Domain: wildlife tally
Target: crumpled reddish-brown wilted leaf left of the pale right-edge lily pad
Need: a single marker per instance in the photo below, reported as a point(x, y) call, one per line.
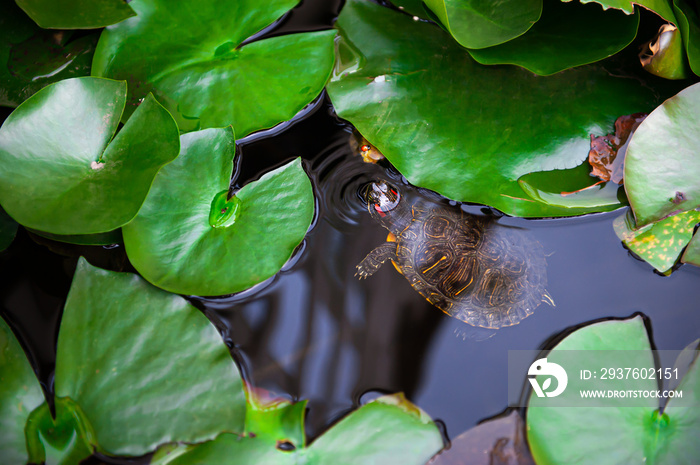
point(607, 153)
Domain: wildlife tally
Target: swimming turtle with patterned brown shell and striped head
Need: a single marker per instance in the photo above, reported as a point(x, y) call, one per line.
point(471, 268)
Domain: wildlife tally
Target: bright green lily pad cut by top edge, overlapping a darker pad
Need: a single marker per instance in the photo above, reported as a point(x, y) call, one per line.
point(484, 23)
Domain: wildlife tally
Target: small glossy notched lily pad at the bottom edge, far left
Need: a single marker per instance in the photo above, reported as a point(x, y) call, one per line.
point(64, 440)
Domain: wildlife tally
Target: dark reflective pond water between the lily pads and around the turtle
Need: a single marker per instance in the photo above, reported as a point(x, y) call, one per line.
point(316, 332)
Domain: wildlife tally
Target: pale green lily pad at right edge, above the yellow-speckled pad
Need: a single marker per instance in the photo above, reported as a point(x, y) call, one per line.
point(661, 165)
